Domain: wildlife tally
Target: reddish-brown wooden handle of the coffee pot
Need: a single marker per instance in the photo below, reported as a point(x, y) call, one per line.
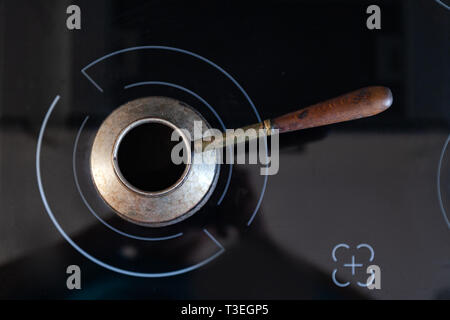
point(358, 104)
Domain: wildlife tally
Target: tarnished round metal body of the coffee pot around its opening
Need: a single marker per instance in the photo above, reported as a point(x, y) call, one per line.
point(153, 209)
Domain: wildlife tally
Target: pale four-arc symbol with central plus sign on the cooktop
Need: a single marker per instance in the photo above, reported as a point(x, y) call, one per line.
point(354, 265)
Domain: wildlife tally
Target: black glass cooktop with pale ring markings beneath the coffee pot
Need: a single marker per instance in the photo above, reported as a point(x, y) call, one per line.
point(368, 194)
